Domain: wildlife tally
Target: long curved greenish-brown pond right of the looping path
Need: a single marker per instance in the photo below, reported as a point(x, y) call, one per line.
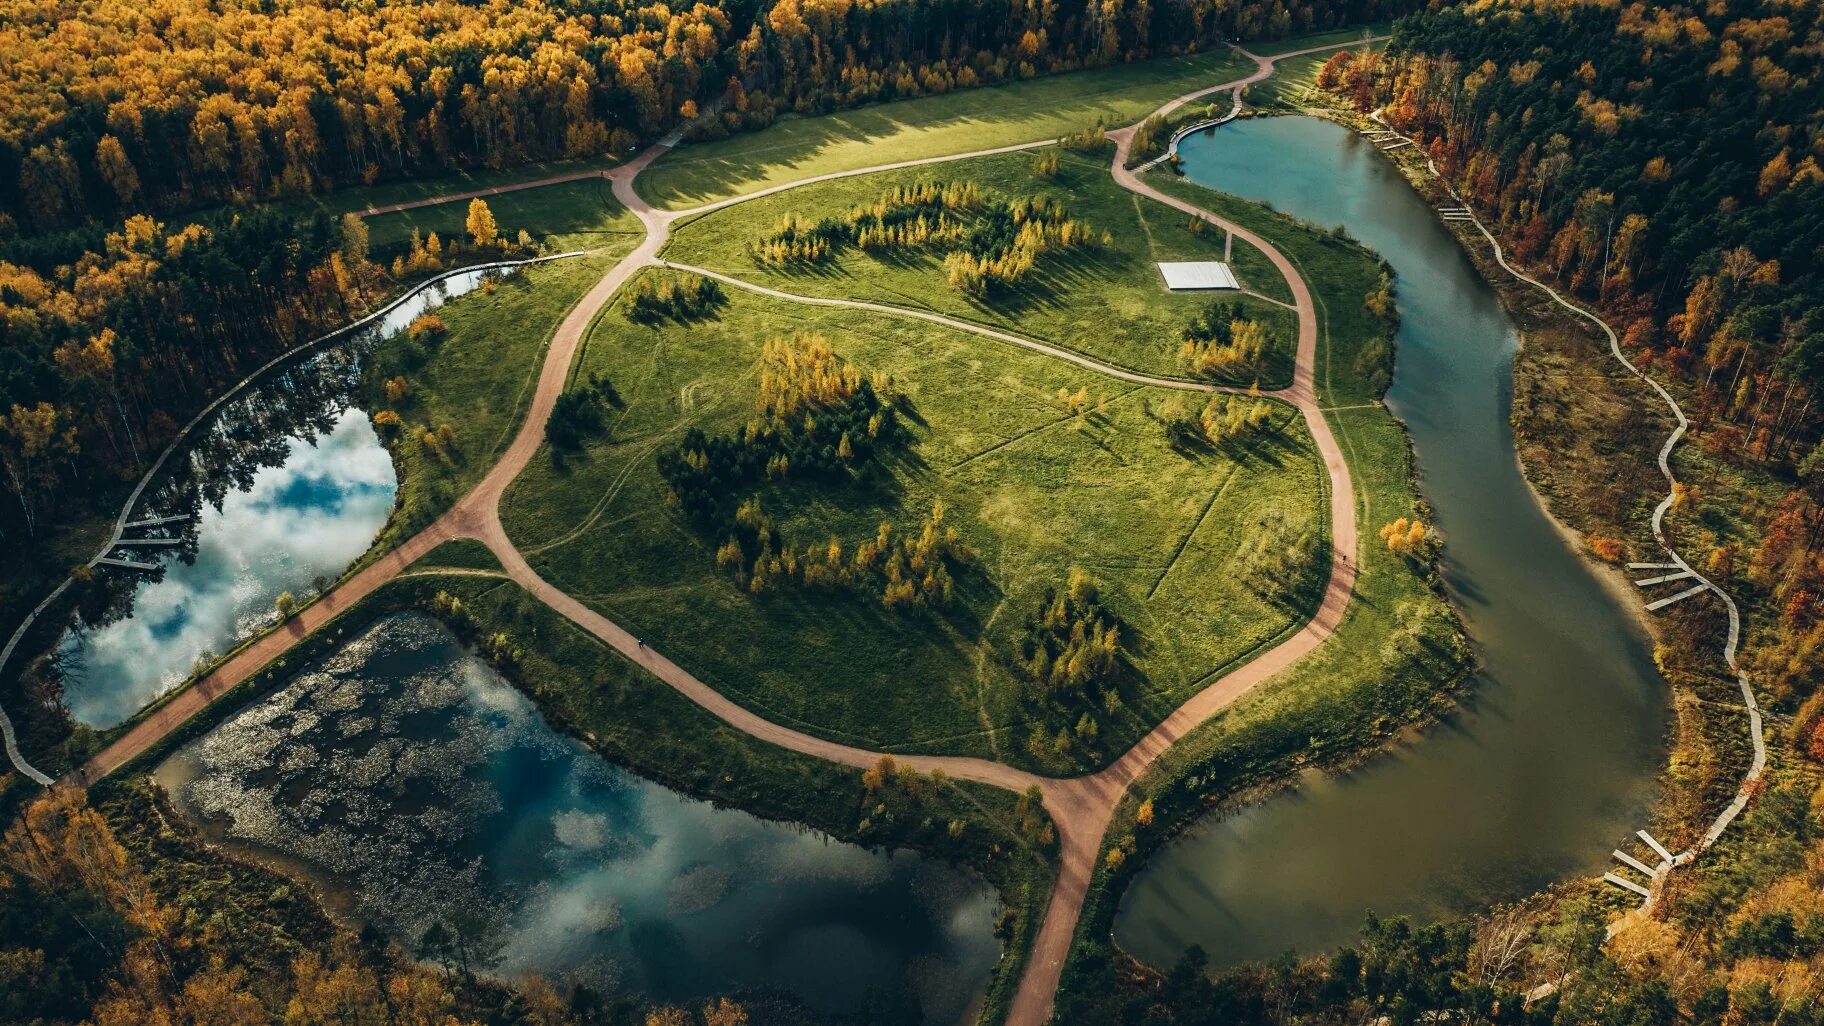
point(1553, 760)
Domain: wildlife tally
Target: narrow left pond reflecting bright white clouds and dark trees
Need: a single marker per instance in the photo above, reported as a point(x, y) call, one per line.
point(284, 488)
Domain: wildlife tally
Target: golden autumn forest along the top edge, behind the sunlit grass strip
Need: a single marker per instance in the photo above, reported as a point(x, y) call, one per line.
point(134, 107)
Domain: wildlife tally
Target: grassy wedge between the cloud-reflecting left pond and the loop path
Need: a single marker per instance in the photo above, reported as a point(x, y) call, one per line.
point(479, 381)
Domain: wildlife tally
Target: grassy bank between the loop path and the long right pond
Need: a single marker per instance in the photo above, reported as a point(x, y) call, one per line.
point(1396, 658)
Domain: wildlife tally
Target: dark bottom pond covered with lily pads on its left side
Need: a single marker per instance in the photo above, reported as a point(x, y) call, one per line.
point(419, 790)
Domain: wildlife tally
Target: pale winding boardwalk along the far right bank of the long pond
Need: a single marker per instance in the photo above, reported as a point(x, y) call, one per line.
point(1759, 762)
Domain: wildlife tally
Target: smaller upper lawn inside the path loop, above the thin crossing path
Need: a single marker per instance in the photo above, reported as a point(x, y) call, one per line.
point(1104, 302)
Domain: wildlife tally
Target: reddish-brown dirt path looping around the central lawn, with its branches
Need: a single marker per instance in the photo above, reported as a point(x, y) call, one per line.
point(1081, 808)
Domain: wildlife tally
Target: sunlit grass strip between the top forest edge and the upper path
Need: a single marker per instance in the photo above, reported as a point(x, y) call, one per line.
point(929, 127)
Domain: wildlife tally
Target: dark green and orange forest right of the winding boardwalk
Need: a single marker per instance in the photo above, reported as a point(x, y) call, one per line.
point(1663, 165)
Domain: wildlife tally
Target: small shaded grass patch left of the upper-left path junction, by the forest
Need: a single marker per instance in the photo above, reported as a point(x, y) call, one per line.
point(570, 216)
